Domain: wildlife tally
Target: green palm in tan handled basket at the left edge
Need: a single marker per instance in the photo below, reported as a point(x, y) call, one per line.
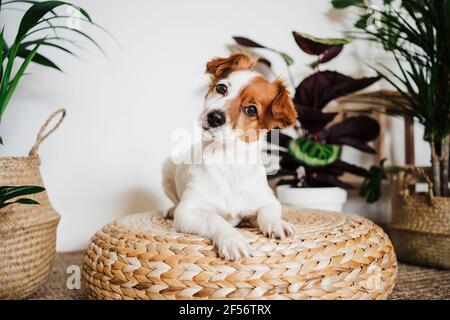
point(28, 230)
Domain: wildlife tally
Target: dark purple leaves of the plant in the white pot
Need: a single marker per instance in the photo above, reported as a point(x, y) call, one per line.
point(311, 96)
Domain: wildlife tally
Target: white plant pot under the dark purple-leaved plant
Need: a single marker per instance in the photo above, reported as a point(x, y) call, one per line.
point(332, 199)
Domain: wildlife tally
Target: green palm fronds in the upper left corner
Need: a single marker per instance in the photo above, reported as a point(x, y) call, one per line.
point(39, 27)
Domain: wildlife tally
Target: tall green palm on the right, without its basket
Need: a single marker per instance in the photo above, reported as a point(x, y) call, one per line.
point(417, 33)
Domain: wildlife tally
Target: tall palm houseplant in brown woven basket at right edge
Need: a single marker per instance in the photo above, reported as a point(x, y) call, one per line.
point(416, 33)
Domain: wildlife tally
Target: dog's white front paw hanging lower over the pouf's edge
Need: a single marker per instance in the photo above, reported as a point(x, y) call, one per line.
point(233, 246)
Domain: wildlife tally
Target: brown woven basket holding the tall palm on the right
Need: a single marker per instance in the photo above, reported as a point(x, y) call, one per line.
point(420, 230)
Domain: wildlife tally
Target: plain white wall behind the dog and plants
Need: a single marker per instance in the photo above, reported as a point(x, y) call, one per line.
point(104, 162)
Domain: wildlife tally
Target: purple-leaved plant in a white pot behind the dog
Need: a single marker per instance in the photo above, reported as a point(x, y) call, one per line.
point(310, 164)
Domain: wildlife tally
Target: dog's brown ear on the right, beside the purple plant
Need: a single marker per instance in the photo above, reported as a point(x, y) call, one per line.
point(282, 111)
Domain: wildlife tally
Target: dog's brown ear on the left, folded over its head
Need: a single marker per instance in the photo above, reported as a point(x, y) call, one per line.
point(222, 67)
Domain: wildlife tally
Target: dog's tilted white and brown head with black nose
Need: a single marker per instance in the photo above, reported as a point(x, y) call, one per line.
point(241, 102)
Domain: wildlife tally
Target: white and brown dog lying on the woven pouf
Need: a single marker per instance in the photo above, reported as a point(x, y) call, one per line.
point(212, 198)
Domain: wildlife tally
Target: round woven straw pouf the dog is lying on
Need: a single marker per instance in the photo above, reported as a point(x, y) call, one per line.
point(331, 256)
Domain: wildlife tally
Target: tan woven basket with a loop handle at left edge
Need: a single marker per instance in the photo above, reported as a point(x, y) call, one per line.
point(27, 232)
